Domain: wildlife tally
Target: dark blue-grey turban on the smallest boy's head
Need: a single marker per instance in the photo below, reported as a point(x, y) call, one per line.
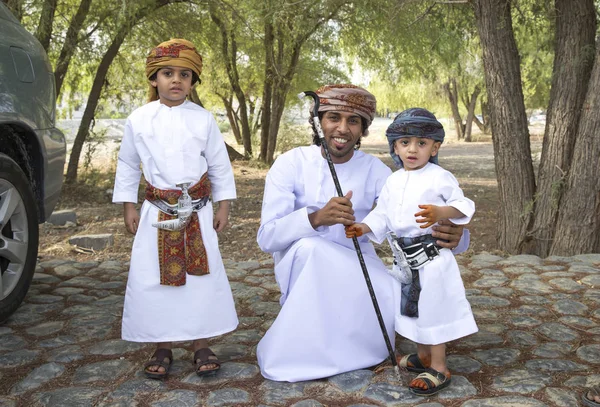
point(415, 122)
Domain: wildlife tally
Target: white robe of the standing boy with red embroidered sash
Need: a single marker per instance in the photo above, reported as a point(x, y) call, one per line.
point(174, 145)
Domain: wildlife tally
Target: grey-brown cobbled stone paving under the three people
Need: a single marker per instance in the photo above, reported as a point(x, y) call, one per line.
point(538, 345)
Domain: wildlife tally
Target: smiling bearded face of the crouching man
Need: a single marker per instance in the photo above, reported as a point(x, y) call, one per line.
point(342, 131)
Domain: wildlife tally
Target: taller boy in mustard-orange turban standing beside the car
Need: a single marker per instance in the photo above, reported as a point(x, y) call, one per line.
point(177, 288)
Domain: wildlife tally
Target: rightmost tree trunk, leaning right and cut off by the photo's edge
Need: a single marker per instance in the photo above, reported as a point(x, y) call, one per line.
point(578, 223)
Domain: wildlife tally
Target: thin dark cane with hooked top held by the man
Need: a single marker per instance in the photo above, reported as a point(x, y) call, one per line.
point(338, 188)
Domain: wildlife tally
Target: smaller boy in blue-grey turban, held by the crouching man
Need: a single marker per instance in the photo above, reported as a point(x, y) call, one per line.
point(434, 308)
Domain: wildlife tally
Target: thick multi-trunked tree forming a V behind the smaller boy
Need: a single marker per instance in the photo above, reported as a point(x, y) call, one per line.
point(561, 216)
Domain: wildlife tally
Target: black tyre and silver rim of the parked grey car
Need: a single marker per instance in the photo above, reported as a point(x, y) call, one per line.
point(19, 236)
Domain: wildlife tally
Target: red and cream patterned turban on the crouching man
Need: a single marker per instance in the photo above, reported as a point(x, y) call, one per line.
point(348, 98)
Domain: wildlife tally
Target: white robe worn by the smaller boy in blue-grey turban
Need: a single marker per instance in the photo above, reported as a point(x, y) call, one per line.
point(444, 311)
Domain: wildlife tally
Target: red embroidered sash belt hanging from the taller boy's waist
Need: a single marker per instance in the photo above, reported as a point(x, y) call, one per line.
point(180, 252)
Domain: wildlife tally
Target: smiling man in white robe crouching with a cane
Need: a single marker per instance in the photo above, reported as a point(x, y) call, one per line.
point(327, 324)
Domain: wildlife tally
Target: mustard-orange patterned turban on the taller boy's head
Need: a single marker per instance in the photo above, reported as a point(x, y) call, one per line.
point(176, 52)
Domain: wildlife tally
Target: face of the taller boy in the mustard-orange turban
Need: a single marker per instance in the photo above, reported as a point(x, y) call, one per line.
point(173, 84)
